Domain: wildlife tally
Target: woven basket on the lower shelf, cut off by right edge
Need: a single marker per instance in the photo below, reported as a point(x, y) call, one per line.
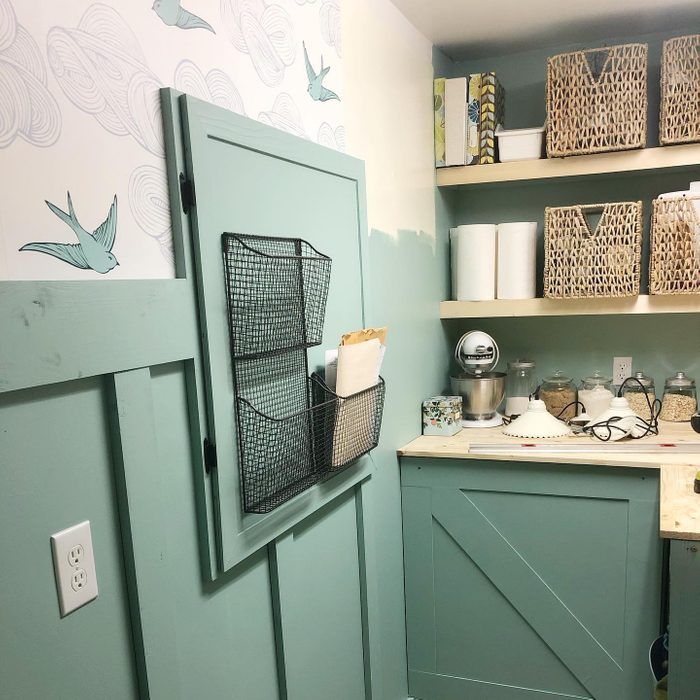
point(674, 259)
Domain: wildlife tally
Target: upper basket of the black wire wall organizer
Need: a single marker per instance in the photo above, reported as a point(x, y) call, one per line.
point(277, 290)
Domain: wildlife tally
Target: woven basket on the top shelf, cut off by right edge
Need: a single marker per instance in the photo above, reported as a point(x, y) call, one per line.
point(679, 120)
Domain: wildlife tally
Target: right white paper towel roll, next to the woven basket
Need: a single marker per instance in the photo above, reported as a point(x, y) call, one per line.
point(517, 260)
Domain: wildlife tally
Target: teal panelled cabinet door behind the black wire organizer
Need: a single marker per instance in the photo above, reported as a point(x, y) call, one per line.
point(250, 178)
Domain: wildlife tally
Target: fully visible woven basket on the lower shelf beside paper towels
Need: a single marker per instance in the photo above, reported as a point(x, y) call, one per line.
point(581, 262)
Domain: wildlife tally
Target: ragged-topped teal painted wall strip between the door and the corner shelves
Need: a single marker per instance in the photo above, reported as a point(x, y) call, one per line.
point(407, 272)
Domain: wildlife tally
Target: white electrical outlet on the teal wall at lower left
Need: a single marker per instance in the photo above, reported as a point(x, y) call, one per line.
point(74, 567)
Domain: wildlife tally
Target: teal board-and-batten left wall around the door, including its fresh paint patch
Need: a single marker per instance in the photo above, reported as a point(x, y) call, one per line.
point(116, 449)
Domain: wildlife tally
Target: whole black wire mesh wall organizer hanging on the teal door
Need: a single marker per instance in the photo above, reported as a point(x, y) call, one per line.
point(293, 430)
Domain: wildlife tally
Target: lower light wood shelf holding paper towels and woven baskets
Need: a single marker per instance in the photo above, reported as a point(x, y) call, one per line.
point(523, 308)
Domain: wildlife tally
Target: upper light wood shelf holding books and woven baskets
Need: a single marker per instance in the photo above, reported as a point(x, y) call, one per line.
point(647, 159)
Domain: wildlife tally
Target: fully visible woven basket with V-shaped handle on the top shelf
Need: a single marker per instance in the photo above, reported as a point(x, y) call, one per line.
point(597, 100)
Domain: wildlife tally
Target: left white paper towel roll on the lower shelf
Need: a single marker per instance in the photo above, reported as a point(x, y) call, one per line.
point(475, 278)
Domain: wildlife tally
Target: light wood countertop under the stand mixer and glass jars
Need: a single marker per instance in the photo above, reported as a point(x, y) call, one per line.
point(679, 505)
